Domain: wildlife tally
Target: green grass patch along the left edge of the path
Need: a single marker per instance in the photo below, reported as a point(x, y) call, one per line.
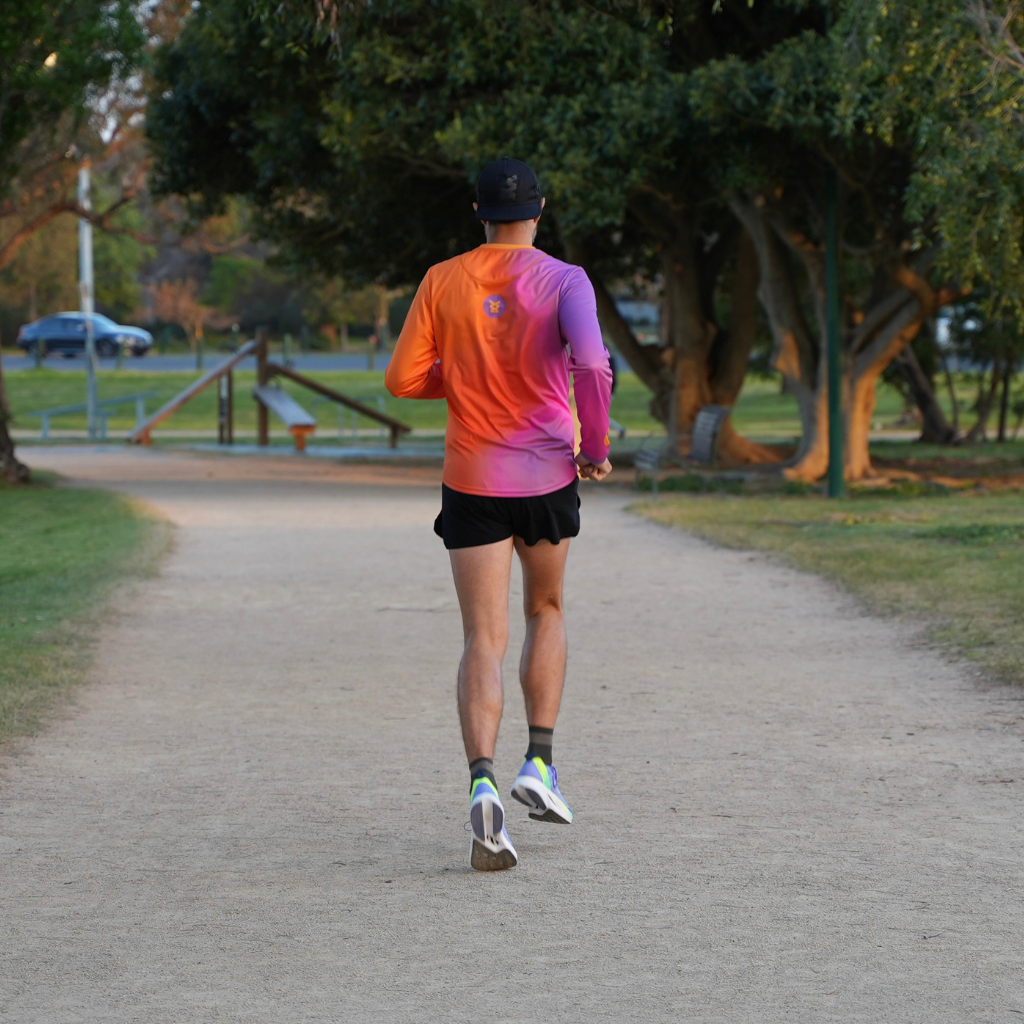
point(62, 552)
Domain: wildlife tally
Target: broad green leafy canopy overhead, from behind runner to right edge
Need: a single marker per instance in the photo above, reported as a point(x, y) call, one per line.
point(380, 118)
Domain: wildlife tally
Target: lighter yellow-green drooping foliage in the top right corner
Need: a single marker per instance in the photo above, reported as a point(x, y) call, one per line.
point(943, 80)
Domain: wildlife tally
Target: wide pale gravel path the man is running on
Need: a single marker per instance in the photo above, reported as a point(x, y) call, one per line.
point(787, 810)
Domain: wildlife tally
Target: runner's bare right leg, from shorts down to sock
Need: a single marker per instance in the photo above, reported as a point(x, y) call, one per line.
point(542, 668)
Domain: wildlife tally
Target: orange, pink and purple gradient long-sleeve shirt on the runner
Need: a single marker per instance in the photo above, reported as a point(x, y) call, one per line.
point(497, 332)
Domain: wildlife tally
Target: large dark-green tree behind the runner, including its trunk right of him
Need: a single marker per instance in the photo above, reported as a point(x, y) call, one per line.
point(362, 164)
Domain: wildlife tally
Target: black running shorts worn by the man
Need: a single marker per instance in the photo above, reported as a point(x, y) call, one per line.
point(470, 521)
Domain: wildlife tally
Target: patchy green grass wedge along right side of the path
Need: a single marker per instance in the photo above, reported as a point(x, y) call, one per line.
point(956, 562)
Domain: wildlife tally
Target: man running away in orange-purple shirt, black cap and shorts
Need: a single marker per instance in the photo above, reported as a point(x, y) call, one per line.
point(497, 332)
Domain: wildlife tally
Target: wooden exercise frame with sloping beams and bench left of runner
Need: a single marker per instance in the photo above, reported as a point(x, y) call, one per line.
point(270, 399)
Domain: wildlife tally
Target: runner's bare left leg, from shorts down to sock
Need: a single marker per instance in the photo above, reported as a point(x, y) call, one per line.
point(482, 581)
